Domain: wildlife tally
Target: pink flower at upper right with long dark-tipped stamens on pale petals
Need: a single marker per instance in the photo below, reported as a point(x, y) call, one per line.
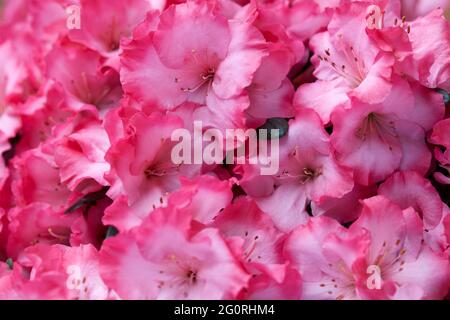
point(347, 64)
